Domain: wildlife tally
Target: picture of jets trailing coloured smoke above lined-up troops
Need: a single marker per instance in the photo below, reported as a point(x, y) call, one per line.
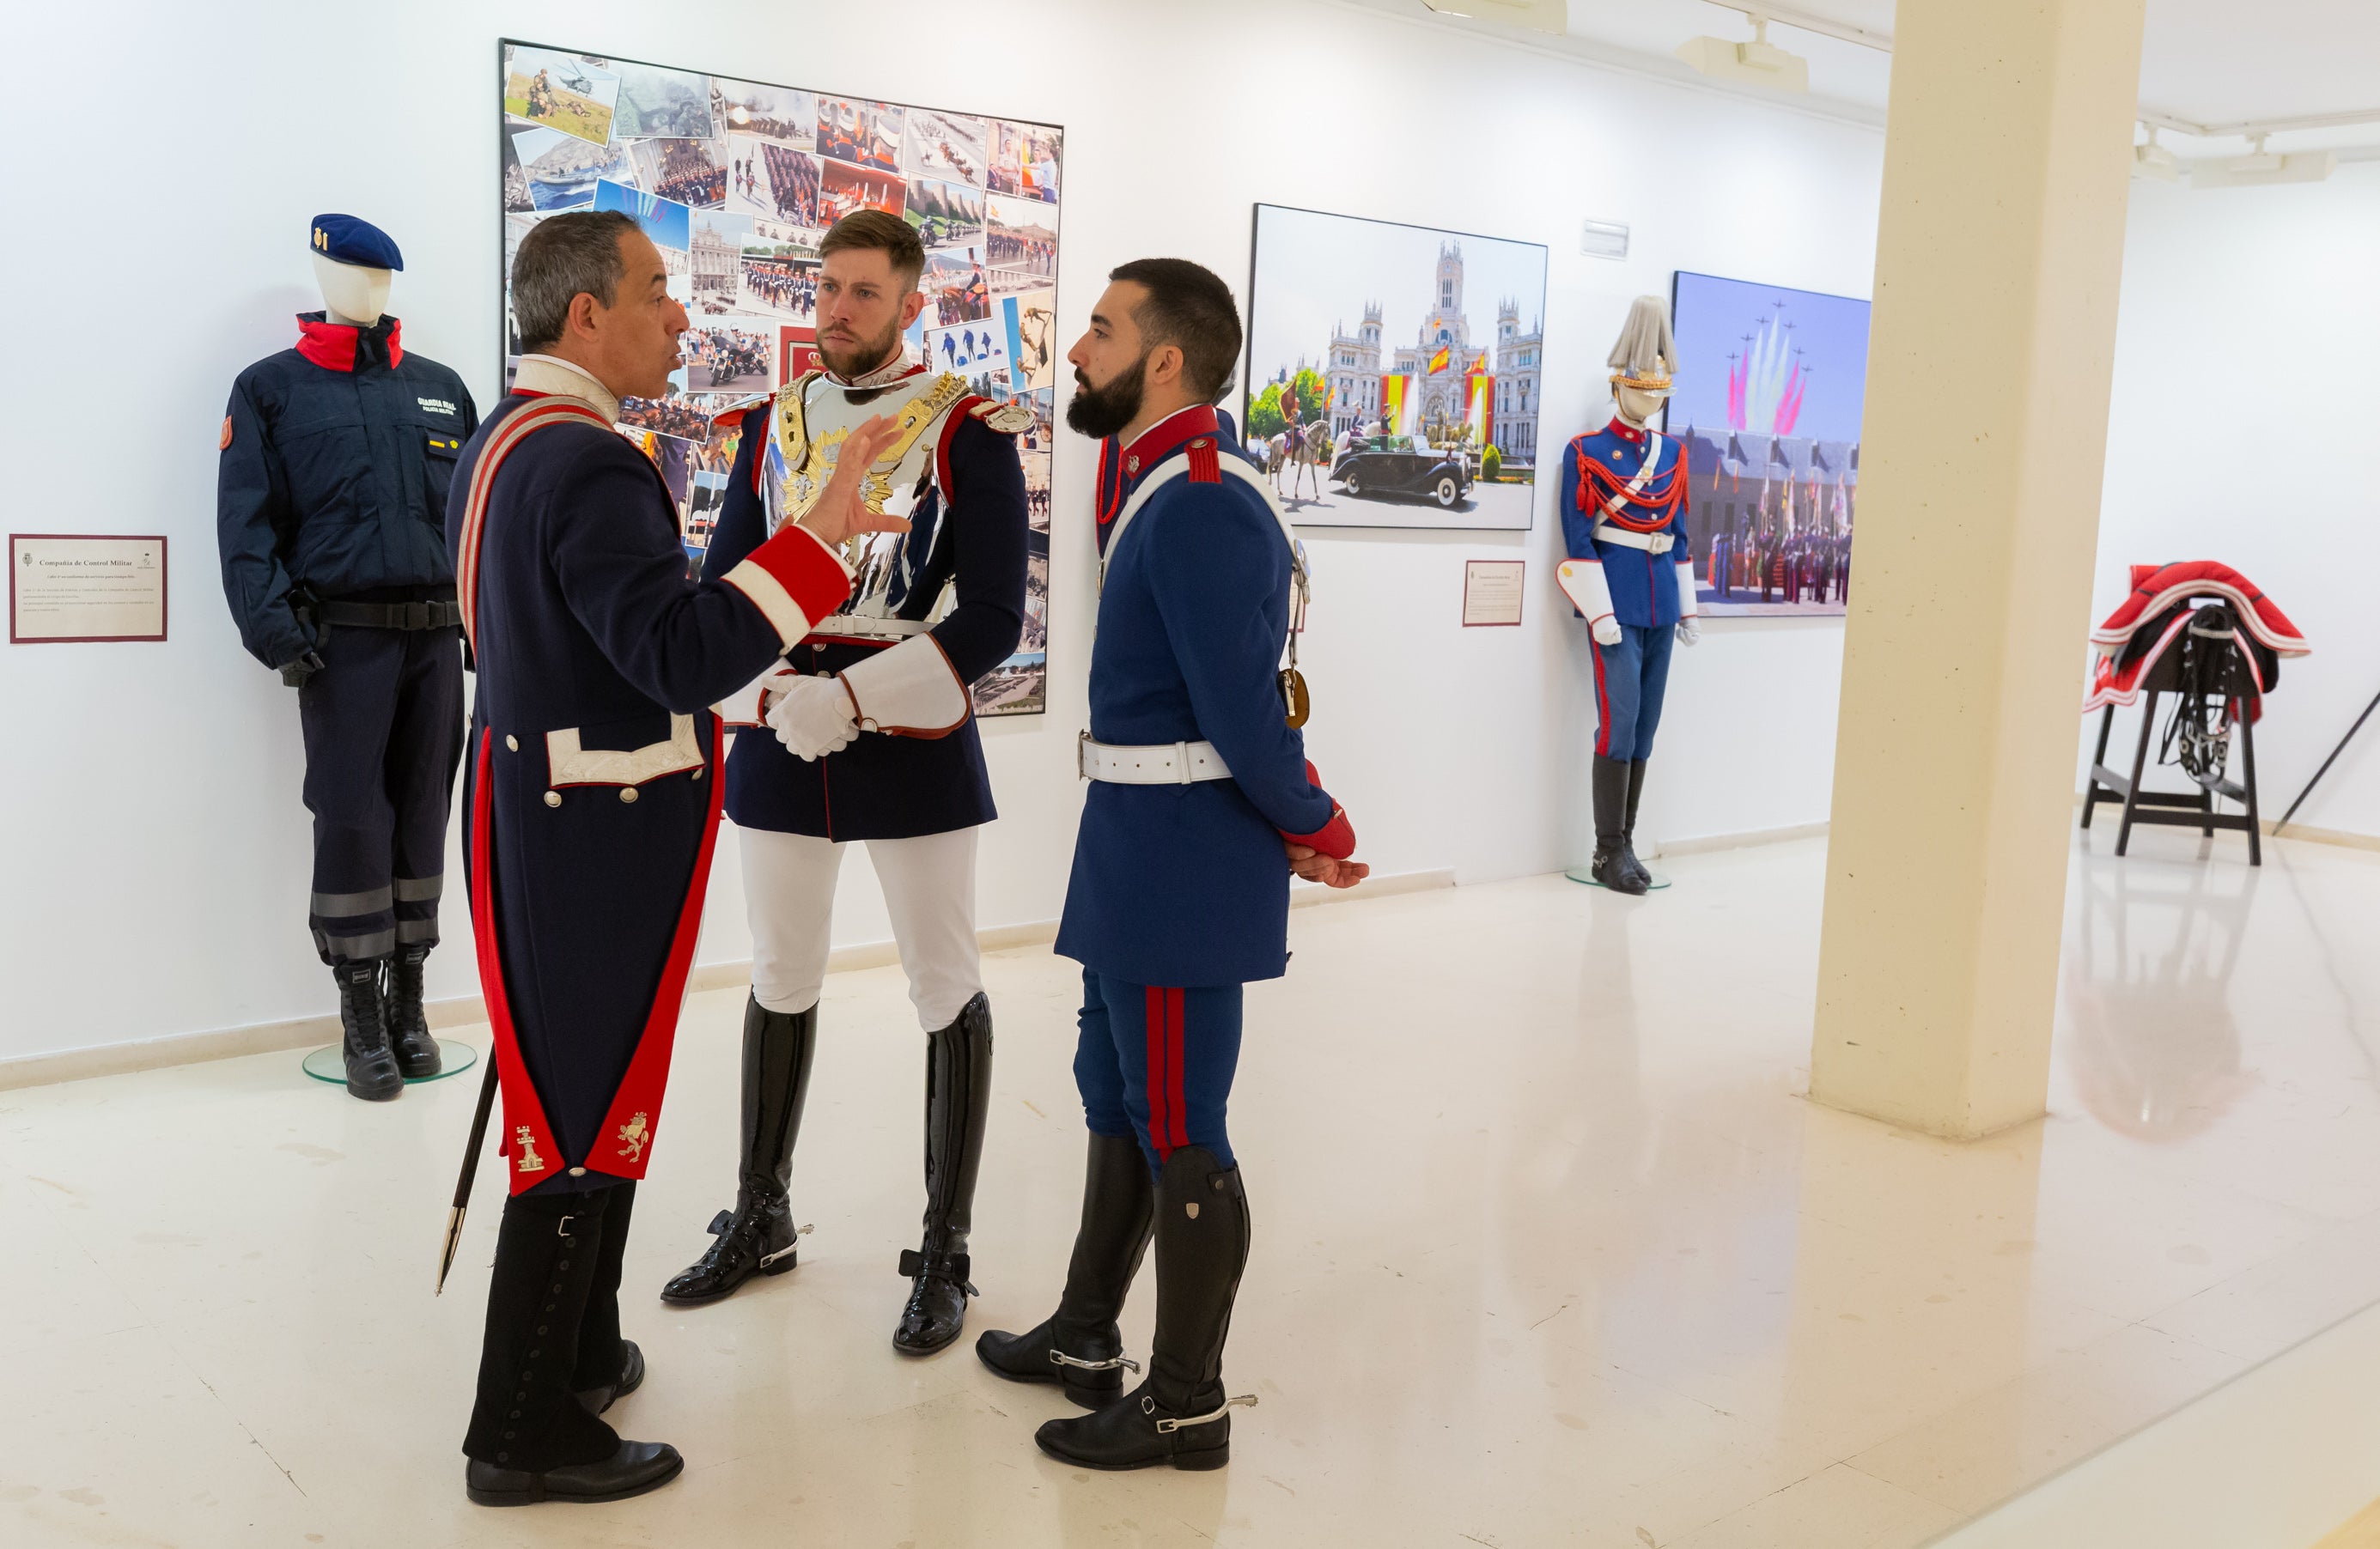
point(1772, 384)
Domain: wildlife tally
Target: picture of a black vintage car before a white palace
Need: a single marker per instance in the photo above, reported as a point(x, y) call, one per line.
point(1393, 372)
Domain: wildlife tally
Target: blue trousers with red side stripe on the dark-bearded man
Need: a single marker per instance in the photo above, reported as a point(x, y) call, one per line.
point(1158, 1065)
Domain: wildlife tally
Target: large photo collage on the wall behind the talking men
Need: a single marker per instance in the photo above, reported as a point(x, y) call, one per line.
point(737, 182)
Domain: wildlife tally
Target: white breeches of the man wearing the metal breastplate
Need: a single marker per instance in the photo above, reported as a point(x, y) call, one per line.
point(929, 891)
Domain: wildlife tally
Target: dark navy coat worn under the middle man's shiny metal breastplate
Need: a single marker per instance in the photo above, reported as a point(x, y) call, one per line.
point(882, 786)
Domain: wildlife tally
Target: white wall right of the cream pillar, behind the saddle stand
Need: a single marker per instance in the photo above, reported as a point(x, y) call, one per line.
point(2248, 387)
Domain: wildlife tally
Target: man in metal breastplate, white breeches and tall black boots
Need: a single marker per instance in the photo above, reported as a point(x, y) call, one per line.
point(875, 741)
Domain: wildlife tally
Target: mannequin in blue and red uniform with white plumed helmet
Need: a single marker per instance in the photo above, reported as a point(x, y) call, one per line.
point(1631, 572)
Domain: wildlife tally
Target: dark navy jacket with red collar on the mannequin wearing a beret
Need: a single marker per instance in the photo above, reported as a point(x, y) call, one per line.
point(334, 477)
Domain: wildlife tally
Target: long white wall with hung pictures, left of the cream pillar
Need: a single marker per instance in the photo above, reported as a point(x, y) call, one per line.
point(156, 851)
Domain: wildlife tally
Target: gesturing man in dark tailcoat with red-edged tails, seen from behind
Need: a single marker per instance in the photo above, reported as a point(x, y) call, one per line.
point(594, 805)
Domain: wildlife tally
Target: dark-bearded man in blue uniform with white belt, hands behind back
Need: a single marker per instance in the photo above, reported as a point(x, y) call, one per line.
point(1201, 808)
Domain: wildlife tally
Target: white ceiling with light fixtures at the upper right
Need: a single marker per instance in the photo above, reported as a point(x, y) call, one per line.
point(2203, 61)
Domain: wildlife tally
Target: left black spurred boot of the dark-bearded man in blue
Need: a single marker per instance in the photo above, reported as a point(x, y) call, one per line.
point(1079, 1346)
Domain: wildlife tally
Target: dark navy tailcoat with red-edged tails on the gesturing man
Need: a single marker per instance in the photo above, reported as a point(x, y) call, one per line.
point(594, 772)
